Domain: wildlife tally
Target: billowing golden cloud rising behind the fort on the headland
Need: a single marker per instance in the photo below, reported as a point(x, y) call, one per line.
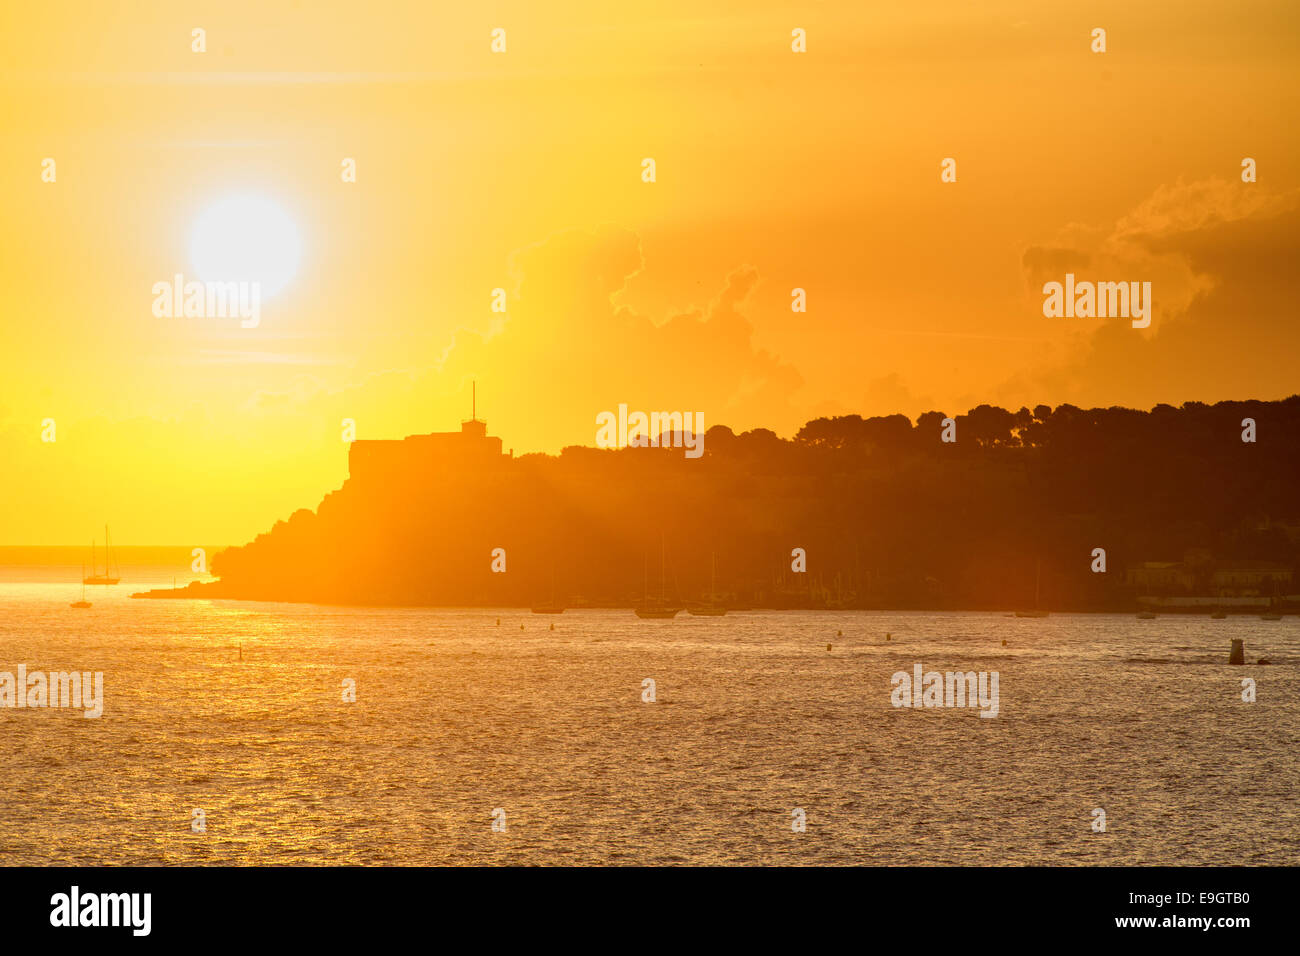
point(567, 338)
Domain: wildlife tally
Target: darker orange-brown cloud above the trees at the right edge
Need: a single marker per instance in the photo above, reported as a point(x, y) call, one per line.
point(1221, 259)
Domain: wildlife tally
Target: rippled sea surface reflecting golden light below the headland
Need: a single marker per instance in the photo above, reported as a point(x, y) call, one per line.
point(457, 716)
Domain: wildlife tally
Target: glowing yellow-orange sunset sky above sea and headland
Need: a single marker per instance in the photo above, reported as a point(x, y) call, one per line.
point(523, 171)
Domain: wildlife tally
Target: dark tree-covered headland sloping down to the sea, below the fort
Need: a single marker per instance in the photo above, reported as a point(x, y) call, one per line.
point(887, 513)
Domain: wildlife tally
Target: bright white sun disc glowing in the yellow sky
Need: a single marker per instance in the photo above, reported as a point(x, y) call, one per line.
point(246, 239)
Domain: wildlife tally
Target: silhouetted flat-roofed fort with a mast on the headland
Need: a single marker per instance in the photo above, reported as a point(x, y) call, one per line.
point(428, 455)
